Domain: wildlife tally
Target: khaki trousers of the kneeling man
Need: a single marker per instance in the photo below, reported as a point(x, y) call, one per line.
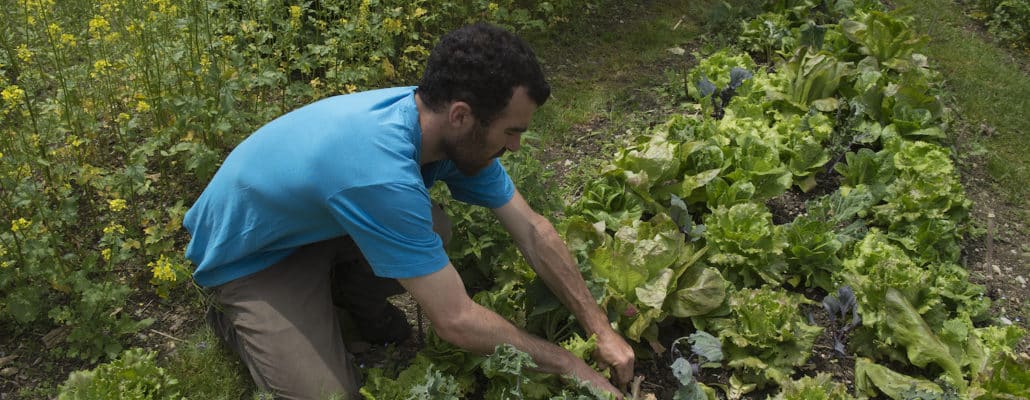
point(283, 321)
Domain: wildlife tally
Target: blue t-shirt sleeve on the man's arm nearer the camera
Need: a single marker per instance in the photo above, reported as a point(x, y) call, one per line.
point(393, 226)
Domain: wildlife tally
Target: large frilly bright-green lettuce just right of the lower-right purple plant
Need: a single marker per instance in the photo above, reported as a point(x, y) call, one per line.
point(918, 316)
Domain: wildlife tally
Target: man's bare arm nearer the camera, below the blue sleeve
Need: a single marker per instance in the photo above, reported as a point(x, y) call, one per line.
point(465, 324)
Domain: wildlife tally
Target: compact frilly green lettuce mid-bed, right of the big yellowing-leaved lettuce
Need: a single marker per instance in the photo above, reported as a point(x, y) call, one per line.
point(744, 243)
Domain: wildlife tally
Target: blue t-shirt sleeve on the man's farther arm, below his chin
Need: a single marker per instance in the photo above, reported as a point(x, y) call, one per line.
point(491, 188)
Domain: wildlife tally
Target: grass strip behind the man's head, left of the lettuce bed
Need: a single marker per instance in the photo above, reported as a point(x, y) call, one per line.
point(605, 71)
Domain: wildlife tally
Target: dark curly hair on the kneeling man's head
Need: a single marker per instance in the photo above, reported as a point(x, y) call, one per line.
point(482, 65)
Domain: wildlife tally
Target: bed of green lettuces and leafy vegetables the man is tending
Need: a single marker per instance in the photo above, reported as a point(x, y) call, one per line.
point(677, 235)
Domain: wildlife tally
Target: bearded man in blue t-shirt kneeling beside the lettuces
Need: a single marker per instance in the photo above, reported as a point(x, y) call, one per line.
point(338, 189)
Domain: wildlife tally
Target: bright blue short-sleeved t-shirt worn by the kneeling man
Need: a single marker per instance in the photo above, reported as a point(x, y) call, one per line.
point(347, 165)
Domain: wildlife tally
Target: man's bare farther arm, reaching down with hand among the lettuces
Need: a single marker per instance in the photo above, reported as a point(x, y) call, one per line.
point(551, 258)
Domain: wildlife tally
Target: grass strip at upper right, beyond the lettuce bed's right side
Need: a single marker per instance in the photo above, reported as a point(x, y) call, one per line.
point(987, 87)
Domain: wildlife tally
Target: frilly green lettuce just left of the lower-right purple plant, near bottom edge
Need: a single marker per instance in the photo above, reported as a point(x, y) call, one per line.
point(765, 338)
